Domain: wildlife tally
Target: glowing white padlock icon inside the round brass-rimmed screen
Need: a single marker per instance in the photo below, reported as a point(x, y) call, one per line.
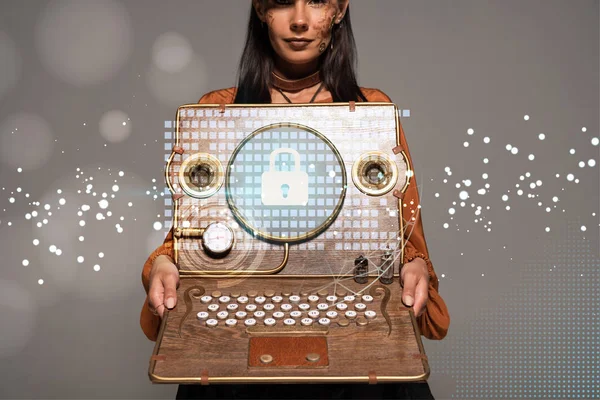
point(284, 188)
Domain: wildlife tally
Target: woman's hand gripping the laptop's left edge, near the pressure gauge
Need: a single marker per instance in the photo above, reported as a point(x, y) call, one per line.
point(164, 280)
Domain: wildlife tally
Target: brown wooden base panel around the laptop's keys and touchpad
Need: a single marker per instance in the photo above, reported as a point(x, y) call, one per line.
point(388, 347)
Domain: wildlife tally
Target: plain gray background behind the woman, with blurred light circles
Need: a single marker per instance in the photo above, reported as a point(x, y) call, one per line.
point(522, 300)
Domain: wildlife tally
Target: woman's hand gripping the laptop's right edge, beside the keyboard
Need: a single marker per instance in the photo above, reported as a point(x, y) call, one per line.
point(414, 278)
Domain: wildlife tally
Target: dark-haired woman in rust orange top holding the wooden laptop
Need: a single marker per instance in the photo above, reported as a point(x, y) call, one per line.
point(303, 51)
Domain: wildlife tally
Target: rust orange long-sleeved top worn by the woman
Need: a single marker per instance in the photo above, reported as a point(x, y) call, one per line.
point(433, 323)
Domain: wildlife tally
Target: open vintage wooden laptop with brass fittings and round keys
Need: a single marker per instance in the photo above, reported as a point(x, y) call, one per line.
point(289, 240)
